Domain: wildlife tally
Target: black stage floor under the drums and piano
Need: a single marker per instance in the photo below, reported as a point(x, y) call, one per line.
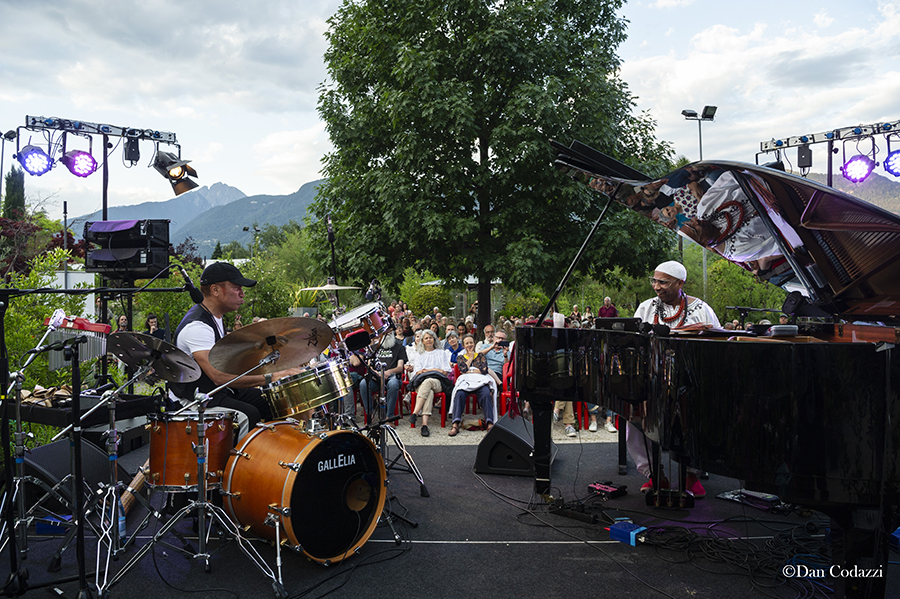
point(487, 536)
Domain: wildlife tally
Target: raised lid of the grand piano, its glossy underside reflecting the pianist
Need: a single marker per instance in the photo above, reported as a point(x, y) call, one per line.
point(839, 252)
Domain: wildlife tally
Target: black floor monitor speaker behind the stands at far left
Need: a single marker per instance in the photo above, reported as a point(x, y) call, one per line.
point(52, 462)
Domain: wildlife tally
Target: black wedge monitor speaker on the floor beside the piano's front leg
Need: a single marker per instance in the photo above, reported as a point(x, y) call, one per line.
point(508, 448)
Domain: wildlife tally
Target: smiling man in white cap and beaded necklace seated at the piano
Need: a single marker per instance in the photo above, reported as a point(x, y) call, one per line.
point(674, 308)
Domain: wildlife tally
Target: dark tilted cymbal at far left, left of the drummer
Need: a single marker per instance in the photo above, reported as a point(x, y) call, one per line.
point(167, 361)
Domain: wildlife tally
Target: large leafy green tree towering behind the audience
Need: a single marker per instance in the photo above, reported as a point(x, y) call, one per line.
point(441, 113)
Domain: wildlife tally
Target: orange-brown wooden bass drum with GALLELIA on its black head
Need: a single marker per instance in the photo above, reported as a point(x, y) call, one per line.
point(332, 482)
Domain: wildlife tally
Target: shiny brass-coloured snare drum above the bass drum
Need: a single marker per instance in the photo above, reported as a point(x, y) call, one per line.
point(311, 388)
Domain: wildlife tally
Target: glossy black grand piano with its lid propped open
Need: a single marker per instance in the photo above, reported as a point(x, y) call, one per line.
point(808, 412)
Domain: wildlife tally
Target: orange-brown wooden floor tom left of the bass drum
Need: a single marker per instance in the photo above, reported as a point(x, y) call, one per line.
point(173, 463)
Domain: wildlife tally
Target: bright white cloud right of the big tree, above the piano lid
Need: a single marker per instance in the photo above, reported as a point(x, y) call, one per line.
point(769, 80)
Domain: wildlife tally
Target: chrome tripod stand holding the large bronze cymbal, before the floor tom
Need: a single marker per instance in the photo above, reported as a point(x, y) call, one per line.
point(203, 508)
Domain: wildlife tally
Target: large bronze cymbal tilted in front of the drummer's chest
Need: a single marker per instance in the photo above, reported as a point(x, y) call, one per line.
point(298, 339)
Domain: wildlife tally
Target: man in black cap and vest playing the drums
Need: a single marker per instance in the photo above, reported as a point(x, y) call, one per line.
point(223, 292)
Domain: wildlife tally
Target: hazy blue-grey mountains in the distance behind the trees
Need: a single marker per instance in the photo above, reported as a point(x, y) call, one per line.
point(219, 213)
